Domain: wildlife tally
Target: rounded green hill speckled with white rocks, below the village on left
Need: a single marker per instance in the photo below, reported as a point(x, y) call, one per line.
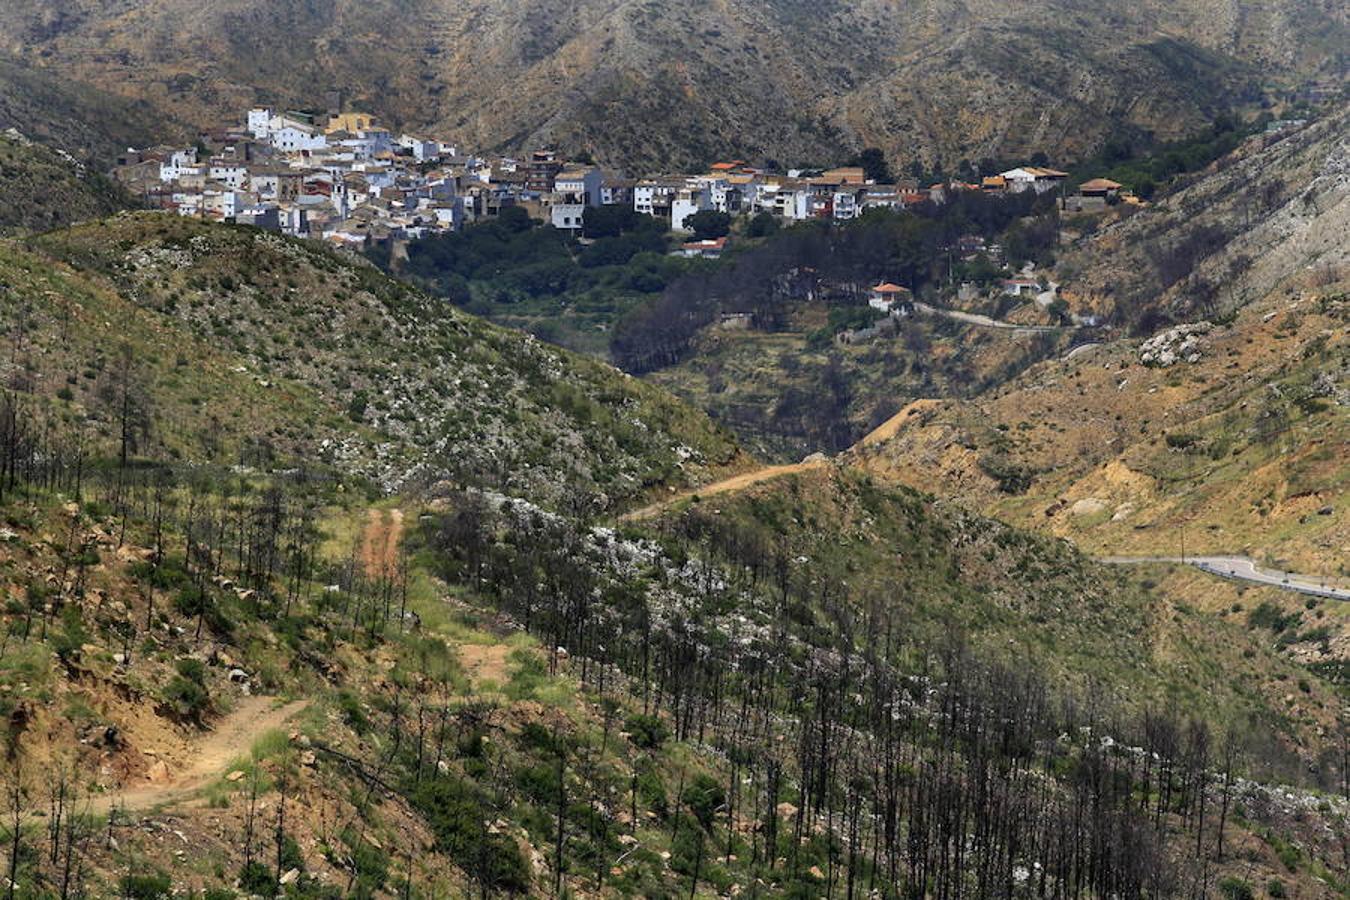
point(342, 365)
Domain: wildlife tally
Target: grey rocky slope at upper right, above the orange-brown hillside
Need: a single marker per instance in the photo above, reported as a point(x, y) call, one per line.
point(1276, 208)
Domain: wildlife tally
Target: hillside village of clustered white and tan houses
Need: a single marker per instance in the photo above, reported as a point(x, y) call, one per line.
point(345, 179)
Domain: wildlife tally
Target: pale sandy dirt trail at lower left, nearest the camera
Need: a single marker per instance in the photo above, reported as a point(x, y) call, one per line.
point(233, 737)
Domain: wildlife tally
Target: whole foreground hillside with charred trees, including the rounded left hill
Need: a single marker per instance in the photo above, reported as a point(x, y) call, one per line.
point(700, 702)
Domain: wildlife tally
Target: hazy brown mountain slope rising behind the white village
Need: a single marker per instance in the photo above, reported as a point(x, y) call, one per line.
point(661, 84)
